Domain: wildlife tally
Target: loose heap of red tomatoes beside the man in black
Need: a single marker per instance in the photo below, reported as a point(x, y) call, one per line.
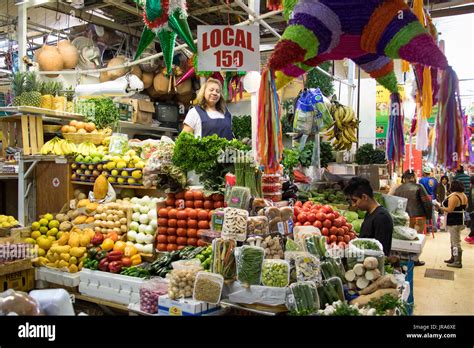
point(334, 227)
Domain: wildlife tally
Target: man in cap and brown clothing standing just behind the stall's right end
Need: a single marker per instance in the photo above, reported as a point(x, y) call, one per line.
point(419, 205)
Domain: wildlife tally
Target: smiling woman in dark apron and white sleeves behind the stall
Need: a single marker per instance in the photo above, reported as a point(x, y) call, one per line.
point(210, 116)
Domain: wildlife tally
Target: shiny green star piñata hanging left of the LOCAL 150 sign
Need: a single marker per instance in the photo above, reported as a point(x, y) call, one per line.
point(165, 19)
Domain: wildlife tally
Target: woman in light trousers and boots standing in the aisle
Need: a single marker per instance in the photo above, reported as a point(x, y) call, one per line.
point(454, 205)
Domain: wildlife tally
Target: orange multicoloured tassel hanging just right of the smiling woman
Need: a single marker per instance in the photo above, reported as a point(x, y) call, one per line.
point(269, 140)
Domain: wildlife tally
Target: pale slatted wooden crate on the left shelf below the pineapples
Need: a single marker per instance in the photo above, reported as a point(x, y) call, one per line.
point(25, 132)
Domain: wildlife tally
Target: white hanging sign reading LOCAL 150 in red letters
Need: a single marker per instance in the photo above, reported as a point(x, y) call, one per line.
point(228, 48)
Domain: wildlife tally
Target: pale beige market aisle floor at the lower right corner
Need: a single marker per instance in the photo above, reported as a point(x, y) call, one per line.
point(439, 296)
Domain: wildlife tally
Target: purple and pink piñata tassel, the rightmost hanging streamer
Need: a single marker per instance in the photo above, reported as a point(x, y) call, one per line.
point(450, 136)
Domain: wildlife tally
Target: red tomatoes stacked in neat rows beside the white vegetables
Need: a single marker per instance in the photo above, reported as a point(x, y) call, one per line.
point(187, 214)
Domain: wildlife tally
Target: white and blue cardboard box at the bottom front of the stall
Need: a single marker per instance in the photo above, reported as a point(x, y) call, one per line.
point(184, 307)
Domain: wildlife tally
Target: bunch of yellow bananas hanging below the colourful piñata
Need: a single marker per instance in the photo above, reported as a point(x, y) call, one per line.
point(343, 129)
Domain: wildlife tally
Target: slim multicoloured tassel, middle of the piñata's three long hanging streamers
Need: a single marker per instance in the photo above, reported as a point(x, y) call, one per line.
point(395, 132)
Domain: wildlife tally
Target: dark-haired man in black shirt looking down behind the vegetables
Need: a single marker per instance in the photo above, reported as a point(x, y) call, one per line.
point(378, 223)
